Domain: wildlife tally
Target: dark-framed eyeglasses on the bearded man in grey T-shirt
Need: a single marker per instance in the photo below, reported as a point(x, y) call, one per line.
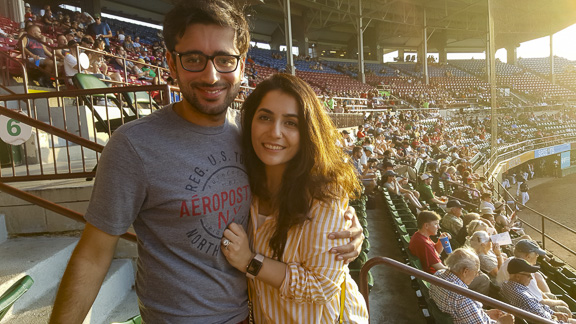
point(196, 62)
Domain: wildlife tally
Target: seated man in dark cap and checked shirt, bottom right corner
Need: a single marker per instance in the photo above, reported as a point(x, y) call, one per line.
point(516, 291)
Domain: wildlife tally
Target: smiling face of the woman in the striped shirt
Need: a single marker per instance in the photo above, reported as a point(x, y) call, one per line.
point(275, 132)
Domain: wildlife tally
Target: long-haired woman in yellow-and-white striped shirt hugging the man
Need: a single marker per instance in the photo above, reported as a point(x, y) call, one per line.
point(297, 176)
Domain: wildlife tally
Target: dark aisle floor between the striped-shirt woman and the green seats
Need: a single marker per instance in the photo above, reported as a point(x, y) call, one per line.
point(392, 299)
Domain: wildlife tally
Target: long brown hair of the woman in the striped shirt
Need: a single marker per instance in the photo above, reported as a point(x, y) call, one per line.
point(318, 171)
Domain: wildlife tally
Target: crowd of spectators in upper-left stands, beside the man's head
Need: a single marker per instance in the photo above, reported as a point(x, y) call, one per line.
point(45, 31)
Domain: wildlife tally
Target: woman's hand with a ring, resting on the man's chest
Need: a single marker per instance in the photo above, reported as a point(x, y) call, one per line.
point(237, 251)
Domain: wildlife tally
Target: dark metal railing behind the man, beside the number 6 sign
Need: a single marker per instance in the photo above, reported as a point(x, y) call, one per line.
point(69, 128)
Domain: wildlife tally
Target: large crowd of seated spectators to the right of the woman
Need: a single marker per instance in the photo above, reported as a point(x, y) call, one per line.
point(421, 156)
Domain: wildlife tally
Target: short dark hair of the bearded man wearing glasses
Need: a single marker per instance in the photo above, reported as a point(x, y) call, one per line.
point(210, 12)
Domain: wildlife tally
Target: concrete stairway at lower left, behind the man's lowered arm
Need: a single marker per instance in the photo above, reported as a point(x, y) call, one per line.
point(39, 243)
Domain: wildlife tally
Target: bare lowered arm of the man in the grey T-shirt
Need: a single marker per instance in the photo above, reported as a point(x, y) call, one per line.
point(84, 275)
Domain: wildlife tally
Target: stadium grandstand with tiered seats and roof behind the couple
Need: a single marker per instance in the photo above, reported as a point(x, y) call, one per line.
point(71, 118)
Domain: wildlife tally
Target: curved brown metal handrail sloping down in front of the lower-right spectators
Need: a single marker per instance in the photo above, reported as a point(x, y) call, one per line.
point(408, 270)
